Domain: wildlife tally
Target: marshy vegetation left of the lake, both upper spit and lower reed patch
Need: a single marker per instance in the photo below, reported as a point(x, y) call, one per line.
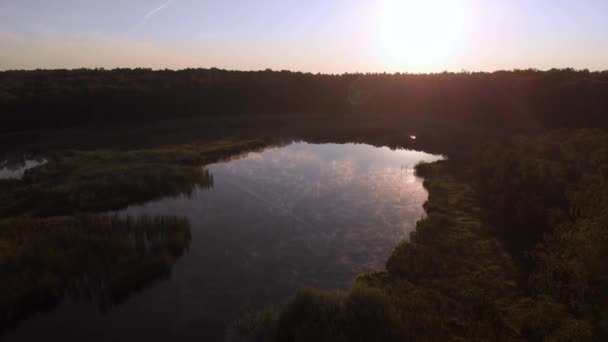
point(54, 245)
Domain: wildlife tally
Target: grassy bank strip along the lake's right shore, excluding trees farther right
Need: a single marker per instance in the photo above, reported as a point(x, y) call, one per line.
point(450, 281)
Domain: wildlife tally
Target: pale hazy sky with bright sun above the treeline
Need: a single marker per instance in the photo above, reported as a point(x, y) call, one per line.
point(327, 36)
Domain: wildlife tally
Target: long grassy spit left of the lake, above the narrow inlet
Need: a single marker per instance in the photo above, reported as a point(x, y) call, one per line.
point(101, 180)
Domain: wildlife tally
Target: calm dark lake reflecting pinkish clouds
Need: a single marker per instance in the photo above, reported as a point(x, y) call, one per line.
point(303, 215)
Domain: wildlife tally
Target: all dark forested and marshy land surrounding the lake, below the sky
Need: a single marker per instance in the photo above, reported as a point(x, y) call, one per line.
point(513, 245)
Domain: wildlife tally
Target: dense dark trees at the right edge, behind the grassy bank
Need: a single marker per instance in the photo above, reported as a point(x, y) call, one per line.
point(555, 188)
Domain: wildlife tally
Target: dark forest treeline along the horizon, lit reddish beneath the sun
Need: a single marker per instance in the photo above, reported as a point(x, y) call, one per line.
point(514, 100)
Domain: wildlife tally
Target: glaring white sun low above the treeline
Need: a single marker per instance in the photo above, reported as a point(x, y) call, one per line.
point(420, 35)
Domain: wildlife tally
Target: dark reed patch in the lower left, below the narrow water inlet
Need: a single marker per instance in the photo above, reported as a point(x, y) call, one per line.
point(103, 258)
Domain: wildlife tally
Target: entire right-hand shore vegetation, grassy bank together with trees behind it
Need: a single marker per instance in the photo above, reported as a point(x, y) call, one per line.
point(467, 272)
